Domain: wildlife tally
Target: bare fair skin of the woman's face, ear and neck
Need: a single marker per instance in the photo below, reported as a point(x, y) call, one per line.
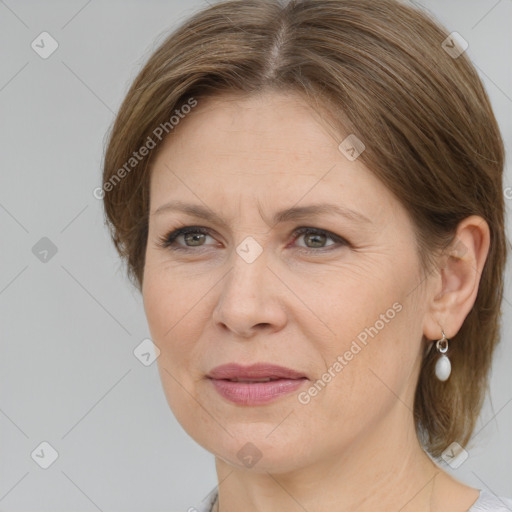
point(353, 447)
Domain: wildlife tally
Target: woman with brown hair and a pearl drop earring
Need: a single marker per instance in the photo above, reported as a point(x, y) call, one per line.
point(309, 197)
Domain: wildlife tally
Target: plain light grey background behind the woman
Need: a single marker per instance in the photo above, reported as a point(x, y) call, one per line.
point(69, 326)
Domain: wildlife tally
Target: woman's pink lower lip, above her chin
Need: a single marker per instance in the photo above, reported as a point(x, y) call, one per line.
point(254, 393)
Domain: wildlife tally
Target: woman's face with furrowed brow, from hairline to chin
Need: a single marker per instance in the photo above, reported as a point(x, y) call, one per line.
point(340, 303)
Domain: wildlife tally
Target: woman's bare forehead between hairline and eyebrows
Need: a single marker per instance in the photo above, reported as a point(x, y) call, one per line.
point(271, 147)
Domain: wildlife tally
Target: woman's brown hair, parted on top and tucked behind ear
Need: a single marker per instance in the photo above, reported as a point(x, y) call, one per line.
point(381, 69)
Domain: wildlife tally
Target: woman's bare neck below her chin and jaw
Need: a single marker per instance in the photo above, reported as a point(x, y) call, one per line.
point(383, 470)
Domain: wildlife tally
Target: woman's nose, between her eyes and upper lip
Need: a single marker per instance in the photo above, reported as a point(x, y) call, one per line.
point(251, 299)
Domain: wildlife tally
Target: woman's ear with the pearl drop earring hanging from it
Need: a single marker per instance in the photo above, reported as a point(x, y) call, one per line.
point(455, 284)
